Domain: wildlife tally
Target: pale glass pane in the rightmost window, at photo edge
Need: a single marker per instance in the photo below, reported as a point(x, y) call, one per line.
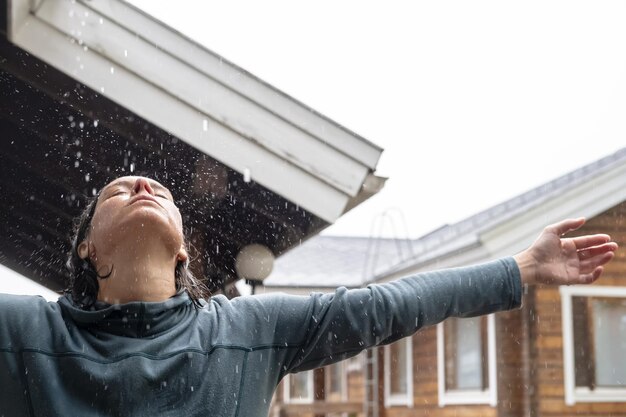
point(609, 320)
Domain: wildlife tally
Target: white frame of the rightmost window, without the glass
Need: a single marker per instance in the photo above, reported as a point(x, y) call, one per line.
point(575, 394)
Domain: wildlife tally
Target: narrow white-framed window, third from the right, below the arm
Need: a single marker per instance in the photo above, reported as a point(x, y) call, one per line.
point(399, 373)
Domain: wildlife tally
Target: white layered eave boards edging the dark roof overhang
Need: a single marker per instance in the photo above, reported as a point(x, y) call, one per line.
point(199, 97)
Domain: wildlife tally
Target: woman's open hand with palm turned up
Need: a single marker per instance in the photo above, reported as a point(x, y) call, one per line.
point(553, 259)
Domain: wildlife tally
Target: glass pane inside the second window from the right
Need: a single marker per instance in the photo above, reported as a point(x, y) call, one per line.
point(465, 353)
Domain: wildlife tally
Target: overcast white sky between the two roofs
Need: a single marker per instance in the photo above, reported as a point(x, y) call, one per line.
point(473, 102)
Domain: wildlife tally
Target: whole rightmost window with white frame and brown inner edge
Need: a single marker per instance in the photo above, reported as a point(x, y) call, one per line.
point(594, 343)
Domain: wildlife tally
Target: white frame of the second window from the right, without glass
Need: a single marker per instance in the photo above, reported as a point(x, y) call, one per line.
point(487, 396)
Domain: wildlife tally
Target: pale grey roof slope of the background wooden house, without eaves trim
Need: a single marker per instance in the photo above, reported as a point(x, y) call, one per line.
point(330, 261)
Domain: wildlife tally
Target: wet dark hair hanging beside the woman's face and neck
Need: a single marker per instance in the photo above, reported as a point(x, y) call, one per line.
point(83, 277)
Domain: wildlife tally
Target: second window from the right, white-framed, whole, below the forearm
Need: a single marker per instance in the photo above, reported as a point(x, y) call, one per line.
point(466, 361)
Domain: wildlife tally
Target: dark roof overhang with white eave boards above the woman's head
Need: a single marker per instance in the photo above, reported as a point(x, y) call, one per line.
point(95, 89)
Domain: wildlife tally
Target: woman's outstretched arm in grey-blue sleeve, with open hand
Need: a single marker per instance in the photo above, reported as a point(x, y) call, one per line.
point(307, 332)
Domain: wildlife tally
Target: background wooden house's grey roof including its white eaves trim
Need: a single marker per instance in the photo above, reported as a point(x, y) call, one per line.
point(329, 261)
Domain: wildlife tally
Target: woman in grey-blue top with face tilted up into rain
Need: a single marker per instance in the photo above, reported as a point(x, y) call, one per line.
point(135, 336)
